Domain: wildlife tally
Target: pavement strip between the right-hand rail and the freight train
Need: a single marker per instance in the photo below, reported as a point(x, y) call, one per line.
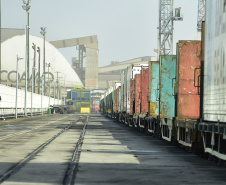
point(113, 153)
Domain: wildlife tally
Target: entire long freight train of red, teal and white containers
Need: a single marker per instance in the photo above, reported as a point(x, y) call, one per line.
point(180, 98)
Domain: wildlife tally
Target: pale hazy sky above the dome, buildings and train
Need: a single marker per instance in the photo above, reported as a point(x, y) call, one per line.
point(126, 29)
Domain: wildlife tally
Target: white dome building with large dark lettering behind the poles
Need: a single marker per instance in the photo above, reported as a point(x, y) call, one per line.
point(58, 64)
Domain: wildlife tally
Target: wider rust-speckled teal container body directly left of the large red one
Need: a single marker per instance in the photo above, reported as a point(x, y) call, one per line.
point(167, 78)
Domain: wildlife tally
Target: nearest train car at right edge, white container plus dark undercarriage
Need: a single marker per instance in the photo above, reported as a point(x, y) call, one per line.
point(213, 127)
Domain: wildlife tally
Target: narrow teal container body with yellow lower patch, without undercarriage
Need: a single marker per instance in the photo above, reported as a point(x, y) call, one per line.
point(153, 89)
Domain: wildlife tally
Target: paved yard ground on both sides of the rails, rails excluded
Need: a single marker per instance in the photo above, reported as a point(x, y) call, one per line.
point(111, 153)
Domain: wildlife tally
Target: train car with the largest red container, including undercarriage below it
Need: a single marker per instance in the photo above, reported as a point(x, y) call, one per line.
point(187, 90)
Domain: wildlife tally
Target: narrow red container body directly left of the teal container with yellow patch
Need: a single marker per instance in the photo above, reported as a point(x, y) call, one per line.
point(144, 90)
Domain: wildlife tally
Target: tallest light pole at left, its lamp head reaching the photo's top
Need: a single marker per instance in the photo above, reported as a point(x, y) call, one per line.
point(26, 7)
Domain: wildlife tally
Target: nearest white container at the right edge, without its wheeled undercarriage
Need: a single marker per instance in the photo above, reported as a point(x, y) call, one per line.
point(215, 64)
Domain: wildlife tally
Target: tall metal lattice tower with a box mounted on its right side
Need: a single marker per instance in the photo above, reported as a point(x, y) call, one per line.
point(166, 20)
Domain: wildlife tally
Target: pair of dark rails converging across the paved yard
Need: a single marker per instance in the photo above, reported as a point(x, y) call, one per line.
point(72, 165)
